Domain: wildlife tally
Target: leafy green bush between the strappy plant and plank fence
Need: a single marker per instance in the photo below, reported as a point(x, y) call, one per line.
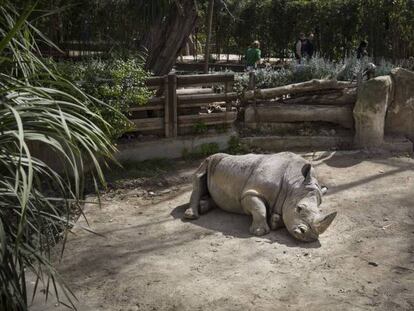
point(117, 82)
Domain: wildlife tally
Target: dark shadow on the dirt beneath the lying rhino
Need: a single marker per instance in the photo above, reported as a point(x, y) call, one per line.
point(237, 226)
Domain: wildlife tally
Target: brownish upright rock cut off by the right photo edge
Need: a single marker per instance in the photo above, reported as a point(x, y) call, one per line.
point(400, 115)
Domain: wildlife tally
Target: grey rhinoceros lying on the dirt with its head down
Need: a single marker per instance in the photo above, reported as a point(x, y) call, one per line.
point(275, 189)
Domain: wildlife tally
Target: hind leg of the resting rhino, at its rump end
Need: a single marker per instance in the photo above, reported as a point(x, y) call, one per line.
point(199, 191)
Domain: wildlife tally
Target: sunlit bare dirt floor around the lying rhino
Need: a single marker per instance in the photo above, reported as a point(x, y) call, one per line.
point(149, 259)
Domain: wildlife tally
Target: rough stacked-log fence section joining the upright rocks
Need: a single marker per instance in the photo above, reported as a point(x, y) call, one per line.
point(286, 106)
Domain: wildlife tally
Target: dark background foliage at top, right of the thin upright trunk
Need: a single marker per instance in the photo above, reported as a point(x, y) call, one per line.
point(338, 25)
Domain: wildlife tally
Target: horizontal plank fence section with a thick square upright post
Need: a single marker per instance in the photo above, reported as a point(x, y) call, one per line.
point(177, 104)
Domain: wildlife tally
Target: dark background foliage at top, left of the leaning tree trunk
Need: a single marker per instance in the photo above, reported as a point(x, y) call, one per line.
point(119, 23)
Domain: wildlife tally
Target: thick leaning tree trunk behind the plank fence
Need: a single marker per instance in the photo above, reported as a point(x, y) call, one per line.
point(168, 35)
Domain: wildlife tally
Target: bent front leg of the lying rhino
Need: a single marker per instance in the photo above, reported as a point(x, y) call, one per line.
point(257, 208)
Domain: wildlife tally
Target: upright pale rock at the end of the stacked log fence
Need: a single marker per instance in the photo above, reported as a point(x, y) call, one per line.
point(374, 96)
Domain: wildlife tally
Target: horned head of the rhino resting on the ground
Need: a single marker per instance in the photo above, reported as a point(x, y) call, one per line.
point(301, 214)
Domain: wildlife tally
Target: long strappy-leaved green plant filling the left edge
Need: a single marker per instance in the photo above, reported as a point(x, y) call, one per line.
point(48, 135)
